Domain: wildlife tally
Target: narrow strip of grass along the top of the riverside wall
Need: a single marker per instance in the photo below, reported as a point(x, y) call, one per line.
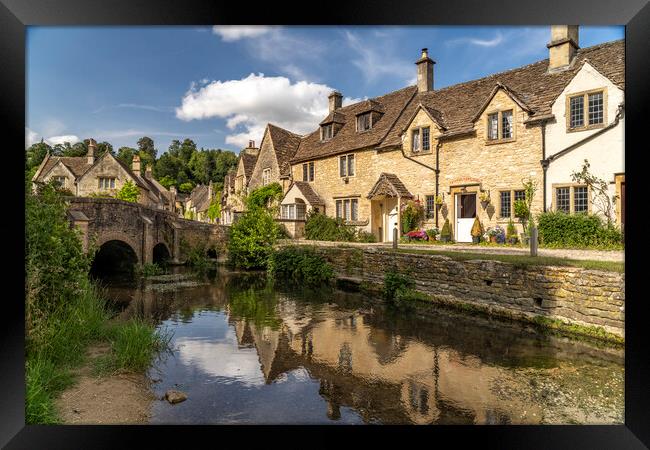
point(522, 260)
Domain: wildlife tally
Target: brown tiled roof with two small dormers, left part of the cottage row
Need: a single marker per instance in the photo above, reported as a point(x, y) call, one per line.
point(347, 138)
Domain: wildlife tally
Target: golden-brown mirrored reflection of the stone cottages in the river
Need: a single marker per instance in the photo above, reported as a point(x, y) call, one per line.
point(384, 376)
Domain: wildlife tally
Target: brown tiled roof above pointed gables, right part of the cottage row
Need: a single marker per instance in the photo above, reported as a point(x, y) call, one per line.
point(532, 85)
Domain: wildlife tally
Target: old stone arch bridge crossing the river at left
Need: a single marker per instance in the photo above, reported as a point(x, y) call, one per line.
point(144, 230)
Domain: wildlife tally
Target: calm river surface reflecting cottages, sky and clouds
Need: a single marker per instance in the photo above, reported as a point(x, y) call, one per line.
point(248, 352)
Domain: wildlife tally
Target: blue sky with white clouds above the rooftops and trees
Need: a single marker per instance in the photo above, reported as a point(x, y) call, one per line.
point(220, 85)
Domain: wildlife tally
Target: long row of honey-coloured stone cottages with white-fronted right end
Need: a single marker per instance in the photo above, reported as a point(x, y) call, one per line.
point(469, 145)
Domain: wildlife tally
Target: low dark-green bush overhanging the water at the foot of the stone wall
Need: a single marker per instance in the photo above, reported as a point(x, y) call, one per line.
point(301, 264)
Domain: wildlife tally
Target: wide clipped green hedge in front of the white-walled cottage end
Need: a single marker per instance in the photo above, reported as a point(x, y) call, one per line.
point(558, 229)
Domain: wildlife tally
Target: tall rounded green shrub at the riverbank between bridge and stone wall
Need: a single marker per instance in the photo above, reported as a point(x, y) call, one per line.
point(252, 238)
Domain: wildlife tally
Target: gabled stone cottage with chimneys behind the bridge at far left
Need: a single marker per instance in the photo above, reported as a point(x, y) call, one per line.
point(86, 176)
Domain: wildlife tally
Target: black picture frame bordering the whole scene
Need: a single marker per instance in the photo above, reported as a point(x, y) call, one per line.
point(15, 15)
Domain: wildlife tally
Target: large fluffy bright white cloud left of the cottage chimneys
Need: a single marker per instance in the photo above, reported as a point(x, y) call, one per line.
point(249, 104)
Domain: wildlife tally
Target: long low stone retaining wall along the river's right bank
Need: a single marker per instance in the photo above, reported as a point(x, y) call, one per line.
point(570, 294)
